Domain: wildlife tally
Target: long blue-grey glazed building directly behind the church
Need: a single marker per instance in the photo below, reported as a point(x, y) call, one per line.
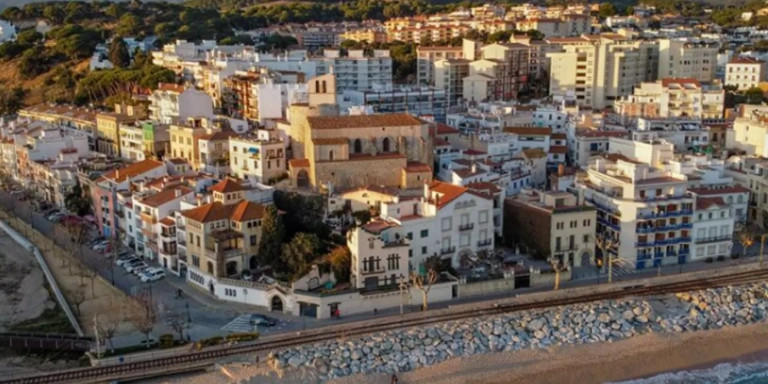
point(417, 101)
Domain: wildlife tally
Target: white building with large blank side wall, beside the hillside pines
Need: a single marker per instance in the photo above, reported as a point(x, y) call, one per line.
point(171, 103)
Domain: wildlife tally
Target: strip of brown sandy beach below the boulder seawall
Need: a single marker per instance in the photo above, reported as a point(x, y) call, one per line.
point(641, 356)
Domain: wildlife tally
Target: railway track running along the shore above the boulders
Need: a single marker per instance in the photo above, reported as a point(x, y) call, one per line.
point(203, 359)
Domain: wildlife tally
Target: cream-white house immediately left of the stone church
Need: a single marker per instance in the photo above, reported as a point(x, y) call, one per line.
point(259, 158)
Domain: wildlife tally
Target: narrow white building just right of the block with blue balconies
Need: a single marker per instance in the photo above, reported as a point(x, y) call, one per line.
point(713, 225)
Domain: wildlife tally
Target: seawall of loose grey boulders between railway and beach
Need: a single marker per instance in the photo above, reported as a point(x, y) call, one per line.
point(404, 350)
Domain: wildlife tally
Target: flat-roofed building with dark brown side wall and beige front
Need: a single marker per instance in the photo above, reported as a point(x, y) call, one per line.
point(552, 225)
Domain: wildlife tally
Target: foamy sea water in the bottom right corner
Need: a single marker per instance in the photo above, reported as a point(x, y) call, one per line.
point(724, 373)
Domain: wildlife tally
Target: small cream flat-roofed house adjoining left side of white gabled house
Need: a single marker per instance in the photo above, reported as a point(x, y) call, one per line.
point(379, 256)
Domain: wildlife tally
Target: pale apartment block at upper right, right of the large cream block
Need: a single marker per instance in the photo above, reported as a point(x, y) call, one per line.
point(696, 59)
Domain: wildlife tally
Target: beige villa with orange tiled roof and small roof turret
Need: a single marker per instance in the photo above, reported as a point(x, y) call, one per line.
point(223, 235)
